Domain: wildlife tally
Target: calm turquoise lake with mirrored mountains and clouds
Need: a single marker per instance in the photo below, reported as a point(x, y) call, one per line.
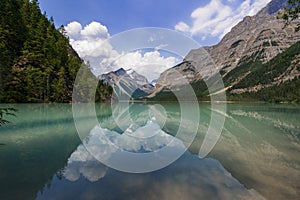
point(257, 155)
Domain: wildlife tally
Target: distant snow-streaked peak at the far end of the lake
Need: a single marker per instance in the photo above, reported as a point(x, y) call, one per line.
point(127, 84)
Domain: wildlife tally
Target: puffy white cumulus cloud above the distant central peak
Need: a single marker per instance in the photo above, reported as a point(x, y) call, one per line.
point(92, 44)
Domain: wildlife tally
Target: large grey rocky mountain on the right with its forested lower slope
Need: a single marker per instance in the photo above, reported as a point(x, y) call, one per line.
point(249, 47)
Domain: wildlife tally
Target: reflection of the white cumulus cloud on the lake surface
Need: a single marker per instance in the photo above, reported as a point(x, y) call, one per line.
point(104, 143)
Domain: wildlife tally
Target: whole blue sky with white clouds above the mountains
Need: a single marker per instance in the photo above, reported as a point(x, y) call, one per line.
point(90, 22)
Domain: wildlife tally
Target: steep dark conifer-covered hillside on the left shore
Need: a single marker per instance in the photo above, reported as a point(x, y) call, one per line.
point(37, 64)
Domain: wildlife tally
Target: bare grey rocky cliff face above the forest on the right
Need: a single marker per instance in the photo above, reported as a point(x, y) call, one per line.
point(255, 39)
